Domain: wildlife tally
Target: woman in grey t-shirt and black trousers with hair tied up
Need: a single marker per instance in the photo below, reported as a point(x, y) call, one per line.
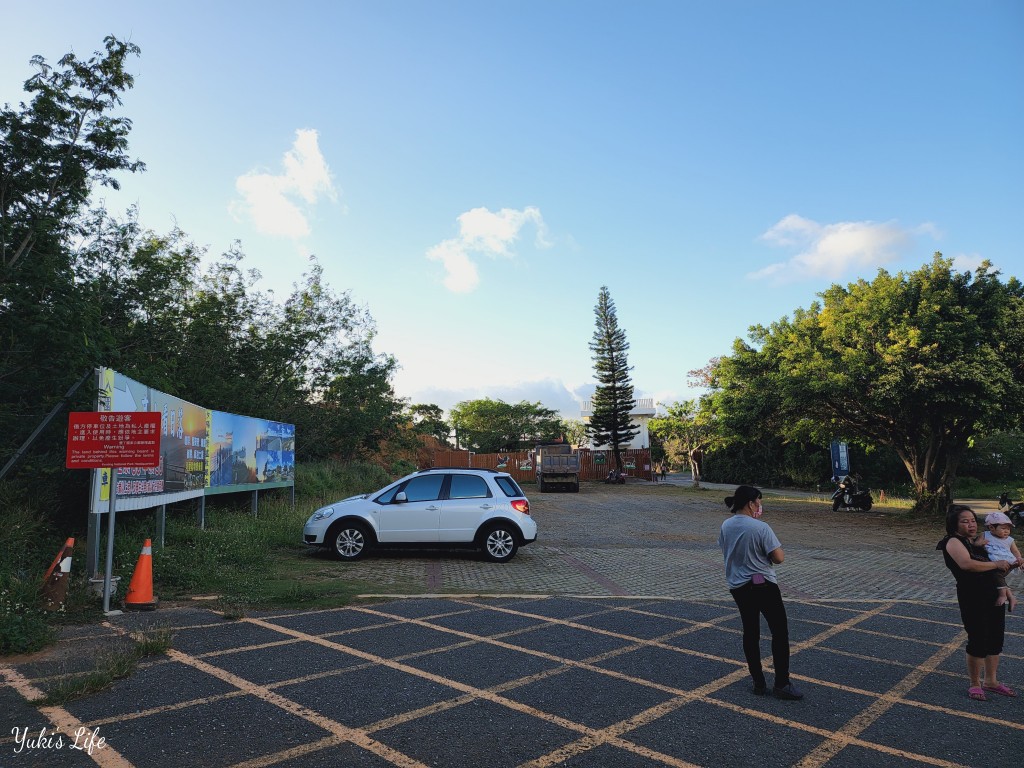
point(752, 550)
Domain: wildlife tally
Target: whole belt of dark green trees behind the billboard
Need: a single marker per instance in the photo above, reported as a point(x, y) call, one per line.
point(80, 289)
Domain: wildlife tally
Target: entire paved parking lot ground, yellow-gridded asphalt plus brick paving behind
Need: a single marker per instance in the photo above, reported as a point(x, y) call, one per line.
point(611, 643)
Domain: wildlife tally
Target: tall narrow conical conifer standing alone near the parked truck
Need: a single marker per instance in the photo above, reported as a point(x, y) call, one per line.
point(611, 423)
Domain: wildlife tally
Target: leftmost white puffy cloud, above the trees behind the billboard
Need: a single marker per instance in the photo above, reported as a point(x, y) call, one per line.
point(280, 205)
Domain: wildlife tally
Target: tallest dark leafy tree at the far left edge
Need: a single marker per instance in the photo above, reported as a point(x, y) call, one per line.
point(53, 152)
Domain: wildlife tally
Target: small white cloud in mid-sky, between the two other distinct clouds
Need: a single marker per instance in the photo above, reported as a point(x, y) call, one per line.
point(488, 233)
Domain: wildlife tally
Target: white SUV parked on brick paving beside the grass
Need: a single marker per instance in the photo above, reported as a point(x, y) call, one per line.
point(439, 507)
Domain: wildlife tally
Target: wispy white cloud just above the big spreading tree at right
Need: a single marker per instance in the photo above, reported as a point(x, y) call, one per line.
point(834, 250)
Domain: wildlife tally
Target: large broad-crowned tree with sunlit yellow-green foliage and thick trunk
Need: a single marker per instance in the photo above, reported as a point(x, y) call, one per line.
point(919, 362)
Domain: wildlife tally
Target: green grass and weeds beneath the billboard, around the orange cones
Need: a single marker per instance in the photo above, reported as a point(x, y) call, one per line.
point(237, 557)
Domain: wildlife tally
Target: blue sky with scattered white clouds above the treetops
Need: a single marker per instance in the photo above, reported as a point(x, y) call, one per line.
point(475, 173)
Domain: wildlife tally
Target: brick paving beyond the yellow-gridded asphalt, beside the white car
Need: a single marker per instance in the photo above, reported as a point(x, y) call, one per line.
point(661, 541)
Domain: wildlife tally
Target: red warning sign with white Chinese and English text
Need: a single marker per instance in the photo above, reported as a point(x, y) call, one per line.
point(98, 440)
